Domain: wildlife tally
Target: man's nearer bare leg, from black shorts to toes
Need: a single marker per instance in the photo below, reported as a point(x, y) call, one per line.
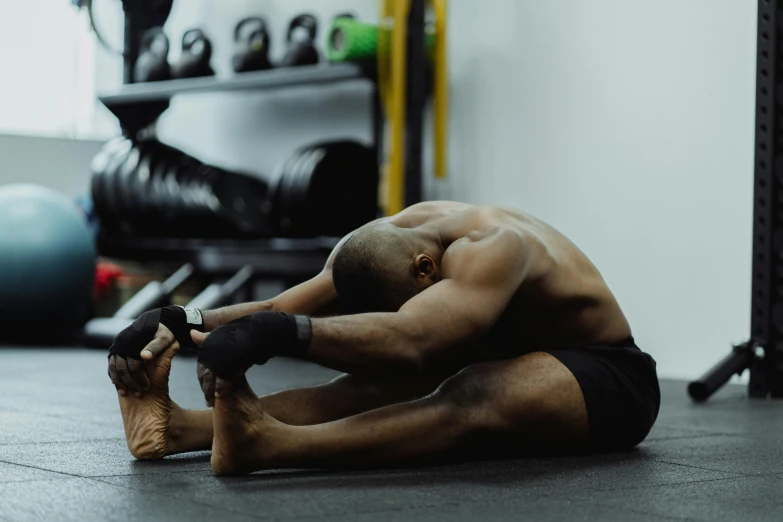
point(523, 404)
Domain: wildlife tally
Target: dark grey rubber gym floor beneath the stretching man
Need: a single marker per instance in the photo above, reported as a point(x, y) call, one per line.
point(63, 457)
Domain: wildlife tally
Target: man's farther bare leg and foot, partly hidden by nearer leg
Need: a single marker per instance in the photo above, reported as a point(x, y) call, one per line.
point(155, 426)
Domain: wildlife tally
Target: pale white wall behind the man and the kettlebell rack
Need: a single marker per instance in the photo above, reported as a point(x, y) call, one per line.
point(627, 124)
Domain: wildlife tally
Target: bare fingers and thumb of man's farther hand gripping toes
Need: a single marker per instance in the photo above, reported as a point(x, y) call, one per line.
point(128, 374)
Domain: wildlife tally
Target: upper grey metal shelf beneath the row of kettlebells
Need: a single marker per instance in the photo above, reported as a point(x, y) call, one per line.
point(139, 104)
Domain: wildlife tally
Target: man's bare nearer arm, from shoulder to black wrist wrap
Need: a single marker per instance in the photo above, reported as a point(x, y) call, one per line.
point(440, 324)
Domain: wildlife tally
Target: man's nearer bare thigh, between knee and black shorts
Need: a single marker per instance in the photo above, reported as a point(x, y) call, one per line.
point(532, 404)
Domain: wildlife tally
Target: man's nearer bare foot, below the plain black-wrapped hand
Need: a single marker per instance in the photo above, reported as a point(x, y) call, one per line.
point(244, 439)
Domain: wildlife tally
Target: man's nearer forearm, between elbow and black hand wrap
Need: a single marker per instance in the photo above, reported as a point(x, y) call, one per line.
point(365, 344)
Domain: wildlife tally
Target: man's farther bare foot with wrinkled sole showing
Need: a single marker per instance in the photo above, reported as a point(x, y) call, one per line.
point(150, 420)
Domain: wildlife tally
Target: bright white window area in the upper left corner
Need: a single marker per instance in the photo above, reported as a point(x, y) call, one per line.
point(47, 65)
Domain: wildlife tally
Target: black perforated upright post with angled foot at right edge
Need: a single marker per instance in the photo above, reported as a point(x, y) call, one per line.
point(763, 353)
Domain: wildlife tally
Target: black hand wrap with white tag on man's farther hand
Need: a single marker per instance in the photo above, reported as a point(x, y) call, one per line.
point(131, 341)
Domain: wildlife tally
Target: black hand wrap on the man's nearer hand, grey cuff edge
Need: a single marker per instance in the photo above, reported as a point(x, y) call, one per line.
point(255, 339)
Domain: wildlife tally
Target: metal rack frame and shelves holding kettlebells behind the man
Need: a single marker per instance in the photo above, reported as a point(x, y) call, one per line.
point(138, 105)
